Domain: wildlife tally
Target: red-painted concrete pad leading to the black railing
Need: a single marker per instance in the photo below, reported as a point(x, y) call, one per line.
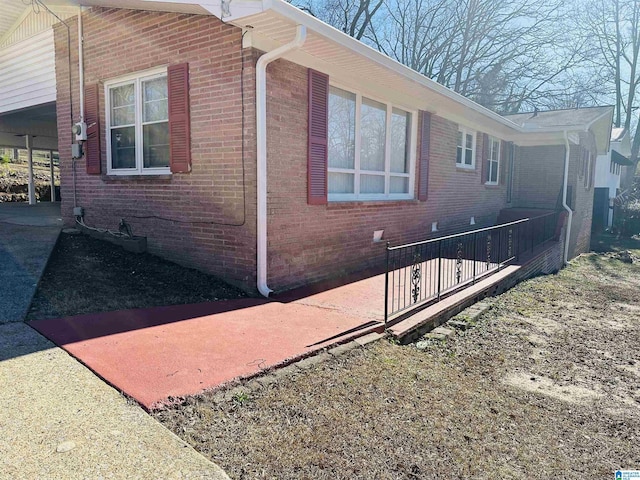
point(156, 353)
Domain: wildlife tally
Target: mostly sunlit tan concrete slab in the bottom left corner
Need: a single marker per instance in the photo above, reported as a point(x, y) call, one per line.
point(58, 420)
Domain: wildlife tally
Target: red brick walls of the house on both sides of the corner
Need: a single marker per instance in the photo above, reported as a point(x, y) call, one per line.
point(306, 243)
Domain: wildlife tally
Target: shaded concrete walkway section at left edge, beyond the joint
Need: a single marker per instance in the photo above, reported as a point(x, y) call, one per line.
point(28, 234)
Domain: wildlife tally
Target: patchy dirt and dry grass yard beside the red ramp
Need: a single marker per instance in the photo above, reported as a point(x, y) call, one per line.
point(547, 385)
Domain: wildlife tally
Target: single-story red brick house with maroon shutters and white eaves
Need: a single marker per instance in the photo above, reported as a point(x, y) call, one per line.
point(275, 170)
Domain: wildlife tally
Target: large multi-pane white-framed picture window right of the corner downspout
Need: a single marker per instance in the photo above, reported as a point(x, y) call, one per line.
point(369, 151)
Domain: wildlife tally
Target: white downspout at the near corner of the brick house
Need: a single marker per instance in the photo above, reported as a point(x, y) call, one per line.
point(261, 151)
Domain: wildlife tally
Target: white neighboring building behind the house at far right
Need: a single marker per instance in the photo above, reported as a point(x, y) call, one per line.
point(609, 170)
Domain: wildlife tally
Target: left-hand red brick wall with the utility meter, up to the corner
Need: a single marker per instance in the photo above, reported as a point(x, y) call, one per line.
point(119, 42)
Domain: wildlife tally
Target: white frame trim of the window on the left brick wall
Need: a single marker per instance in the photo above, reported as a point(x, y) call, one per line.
point(136, 77)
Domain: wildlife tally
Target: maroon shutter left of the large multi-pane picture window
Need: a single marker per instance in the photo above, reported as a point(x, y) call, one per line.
point(317, 138)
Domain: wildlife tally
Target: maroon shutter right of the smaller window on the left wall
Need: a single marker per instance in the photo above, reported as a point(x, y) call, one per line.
point(179, 118)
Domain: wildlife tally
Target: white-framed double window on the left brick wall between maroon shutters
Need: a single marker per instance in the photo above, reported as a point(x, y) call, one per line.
point(137, 111)
